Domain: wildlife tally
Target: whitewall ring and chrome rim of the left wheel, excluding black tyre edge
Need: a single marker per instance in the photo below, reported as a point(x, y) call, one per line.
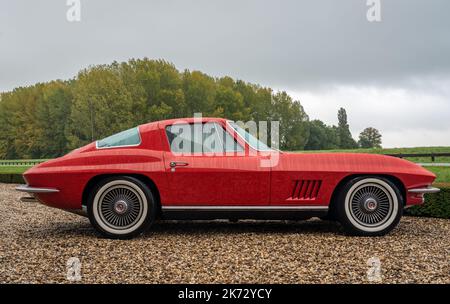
point(120, 207)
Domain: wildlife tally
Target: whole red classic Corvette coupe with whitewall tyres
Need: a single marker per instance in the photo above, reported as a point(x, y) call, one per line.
point(214, 169)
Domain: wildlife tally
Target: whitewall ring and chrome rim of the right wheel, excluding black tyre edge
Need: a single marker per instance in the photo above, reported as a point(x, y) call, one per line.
point(371, 205)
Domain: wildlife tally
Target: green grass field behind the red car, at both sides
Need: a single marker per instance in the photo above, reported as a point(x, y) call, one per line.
point(443, 173)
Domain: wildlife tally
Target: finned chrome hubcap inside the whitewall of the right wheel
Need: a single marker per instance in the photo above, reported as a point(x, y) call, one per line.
point(371, 205)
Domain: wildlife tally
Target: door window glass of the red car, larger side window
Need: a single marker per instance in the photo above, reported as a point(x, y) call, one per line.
point(198, 138)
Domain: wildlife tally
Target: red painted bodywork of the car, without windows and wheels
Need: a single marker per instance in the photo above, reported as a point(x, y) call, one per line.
point(301, 179)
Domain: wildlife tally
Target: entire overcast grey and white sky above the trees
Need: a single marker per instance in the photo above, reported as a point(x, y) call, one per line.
point(393, 75)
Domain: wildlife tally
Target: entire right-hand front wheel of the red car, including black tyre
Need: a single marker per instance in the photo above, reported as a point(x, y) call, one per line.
point(369, 206)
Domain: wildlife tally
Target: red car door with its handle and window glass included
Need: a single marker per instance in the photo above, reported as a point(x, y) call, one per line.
point(218, 174)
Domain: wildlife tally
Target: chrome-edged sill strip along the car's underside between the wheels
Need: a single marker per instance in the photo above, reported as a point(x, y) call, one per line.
point(244, 208)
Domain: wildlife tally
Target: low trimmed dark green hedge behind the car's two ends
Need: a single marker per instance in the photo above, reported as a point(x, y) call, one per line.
point(436, 204)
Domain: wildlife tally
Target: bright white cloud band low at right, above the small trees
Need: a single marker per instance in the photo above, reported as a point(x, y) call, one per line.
point(406, 117)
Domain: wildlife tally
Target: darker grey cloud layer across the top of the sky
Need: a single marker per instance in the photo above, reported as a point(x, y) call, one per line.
point(290, 43)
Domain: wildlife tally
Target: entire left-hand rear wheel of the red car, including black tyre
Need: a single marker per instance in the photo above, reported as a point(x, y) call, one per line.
point(121, 207)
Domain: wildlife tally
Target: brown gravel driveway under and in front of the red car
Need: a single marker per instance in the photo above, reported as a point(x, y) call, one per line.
point(36, 242)
